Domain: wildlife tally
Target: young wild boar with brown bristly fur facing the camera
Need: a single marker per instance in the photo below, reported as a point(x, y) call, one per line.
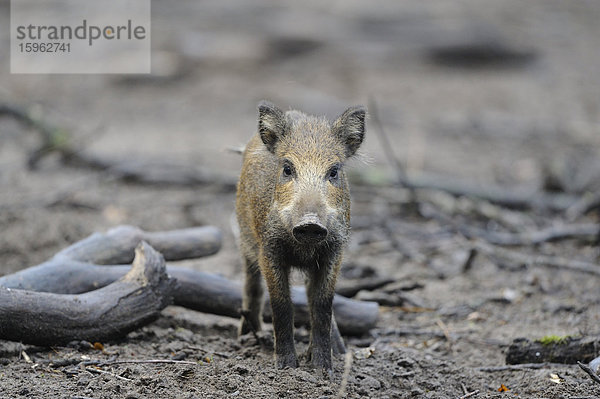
point(293, 209)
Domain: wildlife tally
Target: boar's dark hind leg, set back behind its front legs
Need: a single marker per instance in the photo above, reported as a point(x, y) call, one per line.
point(252, 300)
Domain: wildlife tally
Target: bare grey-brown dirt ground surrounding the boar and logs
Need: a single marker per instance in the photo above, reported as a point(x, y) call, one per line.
point(489, 92)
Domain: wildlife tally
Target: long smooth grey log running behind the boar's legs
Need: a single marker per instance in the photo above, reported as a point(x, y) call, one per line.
point(204, 292)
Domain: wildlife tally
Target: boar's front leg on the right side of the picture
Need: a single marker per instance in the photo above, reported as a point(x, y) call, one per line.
point(320, 289)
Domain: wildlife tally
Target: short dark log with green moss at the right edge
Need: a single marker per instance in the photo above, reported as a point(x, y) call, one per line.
point(567, 351)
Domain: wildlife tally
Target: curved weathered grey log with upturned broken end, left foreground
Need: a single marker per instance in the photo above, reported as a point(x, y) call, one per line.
point(111, 312)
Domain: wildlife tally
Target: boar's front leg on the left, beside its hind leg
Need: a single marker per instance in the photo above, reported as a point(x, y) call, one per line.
point(277, 279)
